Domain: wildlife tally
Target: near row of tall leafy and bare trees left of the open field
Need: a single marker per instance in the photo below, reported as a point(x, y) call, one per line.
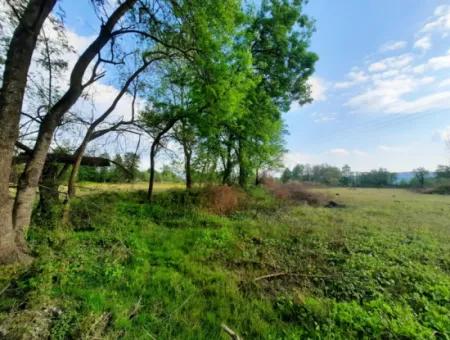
point(214, 78)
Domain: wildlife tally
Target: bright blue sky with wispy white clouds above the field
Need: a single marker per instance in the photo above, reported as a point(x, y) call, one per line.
point(381, 88)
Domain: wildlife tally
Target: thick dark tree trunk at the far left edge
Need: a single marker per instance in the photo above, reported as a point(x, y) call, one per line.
point(17, 64)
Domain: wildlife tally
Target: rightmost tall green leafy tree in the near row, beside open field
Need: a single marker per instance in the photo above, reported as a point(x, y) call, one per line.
point(278, 38)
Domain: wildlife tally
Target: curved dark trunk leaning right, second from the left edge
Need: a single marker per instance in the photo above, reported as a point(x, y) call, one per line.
point(29, 180)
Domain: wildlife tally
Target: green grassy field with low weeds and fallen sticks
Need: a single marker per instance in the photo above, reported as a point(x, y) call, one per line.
point(377, 268)
